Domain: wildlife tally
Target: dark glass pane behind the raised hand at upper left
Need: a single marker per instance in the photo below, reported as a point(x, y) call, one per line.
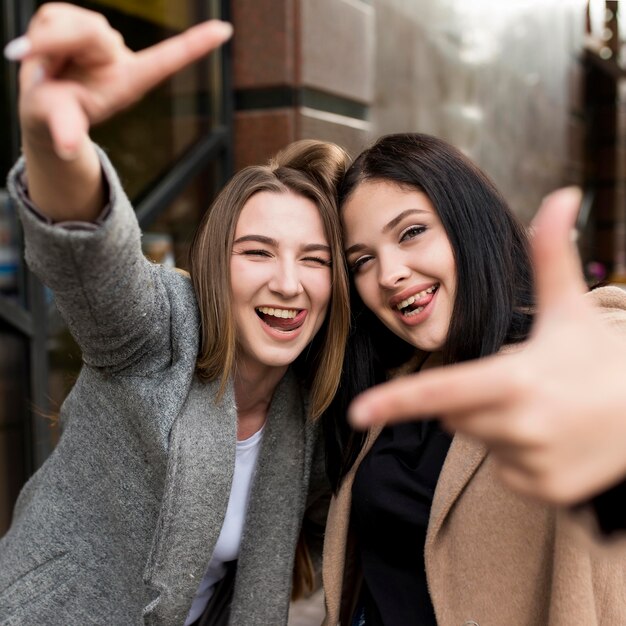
point(145, 140)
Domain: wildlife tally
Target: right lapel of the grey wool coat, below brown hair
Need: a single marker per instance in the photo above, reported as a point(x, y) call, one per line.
point(265, 565)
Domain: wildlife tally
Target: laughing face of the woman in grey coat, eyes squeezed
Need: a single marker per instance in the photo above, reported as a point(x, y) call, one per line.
point(280, 278)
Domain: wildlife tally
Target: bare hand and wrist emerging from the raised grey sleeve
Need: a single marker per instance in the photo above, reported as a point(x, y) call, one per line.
point(76, 72)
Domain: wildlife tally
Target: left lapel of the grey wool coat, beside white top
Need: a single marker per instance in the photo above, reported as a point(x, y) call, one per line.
point(201, 461)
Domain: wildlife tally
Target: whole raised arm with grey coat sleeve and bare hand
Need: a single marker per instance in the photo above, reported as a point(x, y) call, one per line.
point(76, 71)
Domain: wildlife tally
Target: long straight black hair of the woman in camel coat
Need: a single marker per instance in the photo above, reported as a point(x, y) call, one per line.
point(494, 291)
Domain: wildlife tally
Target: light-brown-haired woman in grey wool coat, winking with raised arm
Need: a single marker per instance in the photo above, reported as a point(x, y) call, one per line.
point(187, 461)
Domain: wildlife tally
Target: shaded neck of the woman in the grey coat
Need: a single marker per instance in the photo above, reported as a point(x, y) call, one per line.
point(254, 388)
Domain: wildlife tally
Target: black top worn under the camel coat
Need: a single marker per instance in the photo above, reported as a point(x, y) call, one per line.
point(391, 499)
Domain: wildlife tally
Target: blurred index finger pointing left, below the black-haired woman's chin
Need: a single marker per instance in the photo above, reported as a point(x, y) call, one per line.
point(464, 387)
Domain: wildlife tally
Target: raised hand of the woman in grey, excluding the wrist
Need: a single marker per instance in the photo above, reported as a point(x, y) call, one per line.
point(76, 71)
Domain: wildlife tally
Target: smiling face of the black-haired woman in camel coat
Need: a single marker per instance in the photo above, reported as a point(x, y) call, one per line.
point(402, 262)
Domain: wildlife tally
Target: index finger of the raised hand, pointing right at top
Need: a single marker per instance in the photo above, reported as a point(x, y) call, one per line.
point(156, 63)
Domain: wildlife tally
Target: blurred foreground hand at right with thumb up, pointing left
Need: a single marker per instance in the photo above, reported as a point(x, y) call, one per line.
point(554, 413)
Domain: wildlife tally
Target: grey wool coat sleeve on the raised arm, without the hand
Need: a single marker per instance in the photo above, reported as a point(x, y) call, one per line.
point(111, 297)
